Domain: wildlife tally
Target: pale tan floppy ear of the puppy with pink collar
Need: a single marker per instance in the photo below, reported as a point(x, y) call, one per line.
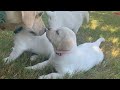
point(66, 45)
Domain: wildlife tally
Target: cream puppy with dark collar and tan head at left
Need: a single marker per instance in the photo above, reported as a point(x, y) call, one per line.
point(25, 40)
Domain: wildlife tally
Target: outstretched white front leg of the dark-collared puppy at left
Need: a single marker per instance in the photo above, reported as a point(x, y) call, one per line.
point(14, 54)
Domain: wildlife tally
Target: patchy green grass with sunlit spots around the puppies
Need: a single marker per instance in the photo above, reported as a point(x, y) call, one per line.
point(102, 24)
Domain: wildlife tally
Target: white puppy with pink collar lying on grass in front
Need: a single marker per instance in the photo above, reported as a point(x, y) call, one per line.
point(67, 56)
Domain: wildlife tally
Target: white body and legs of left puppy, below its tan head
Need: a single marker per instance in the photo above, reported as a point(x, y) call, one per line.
point(26, 41)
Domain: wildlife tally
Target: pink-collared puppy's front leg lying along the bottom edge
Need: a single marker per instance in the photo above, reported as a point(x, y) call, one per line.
point(52, 76)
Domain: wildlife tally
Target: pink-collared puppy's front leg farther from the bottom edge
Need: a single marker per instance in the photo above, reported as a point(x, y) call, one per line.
point(39, 65)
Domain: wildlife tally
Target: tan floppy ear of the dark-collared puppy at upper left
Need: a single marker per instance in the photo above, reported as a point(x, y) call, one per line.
point(28, 18)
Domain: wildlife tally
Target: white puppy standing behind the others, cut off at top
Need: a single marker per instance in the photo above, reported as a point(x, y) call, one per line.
point(70, 19)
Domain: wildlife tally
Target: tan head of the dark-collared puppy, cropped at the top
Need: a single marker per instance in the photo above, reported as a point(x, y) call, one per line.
point(33, 21)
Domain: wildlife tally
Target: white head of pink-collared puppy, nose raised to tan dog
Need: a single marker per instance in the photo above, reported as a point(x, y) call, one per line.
point(62, 39)
